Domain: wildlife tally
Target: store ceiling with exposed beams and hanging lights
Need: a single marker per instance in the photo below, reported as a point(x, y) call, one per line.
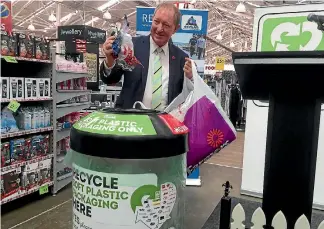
point(223, 18)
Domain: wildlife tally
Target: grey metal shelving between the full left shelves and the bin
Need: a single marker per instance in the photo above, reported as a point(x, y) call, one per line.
point(60, 181)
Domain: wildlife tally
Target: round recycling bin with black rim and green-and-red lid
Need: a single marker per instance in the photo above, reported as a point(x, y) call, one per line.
point(129, 170)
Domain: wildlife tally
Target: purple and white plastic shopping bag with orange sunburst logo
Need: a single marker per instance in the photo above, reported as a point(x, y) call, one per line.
point(210, 129)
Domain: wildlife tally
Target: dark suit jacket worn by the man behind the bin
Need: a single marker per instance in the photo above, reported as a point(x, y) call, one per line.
point(135, 81)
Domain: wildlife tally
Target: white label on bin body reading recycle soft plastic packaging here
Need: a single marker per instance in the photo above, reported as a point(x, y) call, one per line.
point(120, 201)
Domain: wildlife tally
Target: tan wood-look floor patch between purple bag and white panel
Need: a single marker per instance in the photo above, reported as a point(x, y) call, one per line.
point(232, 155)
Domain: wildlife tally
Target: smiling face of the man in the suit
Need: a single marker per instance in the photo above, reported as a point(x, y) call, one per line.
point(163, 26)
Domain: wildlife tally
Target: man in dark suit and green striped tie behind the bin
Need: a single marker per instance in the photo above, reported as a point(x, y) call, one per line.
point(160, 79)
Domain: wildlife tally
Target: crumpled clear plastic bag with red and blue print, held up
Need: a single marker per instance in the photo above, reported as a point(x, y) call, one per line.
point(123, 48)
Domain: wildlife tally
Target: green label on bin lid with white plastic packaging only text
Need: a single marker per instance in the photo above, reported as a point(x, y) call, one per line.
point(116, 124)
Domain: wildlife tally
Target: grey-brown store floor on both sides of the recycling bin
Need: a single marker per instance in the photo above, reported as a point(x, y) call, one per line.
point(56, 212)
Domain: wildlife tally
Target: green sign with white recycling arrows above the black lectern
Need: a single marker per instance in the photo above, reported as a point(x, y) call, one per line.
point(291, 34)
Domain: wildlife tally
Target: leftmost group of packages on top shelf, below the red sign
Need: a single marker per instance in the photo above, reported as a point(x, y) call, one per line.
point(9, 44)
